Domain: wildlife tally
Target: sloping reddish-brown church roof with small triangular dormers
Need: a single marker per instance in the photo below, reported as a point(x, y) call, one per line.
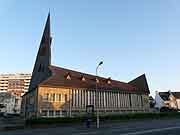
point(59, 78)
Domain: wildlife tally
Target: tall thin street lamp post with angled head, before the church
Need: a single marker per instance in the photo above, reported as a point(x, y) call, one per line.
point(97, 95)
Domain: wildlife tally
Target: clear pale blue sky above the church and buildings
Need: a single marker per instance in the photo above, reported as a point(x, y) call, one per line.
point(131, 37)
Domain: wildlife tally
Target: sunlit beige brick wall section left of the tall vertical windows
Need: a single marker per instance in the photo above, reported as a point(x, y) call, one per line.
point(53, 99)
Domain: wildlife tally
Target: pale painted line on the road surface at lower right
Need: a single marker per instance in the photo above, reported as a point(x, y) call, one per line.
point(150, 131)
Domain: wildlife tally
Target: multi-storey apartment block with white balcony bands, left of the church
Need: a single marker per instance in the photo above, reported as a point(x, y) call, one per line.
point(17, 84)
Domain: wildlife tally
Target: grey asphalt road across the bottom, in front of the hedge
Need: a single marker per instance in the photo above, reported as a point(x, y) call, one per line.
point(147, 127)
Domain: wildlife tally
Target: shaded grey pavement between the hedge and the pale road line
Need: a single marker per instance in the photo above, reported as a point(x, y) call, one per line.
point(105, 128)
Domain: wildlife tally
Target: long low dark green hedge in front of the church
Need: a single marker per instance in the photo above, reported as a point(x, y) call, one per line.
point(105, 118)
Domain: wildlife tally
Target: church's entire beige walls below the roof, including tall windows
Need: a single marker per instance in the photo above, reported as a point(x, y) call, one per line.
point(61, 102)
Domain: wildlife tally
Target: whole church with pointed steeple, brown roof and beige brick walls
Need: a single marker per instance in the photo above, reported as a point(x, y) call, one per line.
point(58, 92)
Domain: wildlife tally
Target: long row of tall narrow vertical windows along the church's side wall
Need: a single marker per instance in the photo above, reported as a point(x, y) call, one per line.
point(81, 98)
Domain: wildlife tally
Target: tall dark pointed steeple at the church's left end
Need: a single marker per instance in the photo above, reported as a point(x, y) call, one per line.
point(43, 59)
